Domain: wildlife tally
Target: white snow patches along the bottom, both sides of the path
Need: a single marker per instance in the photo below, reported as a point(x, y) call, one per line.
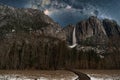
point(93, 76)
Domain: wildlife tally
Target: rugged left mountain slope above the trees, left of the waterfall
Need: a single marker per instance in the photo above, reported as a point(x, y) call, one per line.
point(28, 20)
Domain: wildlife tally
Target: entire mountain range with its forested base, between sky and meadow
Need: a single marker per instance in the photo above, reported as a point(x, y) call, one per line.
point(29, 39)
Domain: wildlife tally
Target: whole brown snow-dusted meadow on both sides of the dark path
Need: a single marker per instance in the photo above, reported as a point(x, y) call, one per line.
point(58, 75)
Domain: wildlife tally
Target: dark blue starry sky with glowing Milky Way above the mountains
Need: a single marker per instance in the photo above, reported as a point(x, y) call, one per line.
point(71, 11)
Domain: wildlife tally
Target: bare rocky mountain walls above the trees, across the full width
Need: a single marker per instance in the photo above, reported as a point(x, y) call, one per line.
point(90, 31)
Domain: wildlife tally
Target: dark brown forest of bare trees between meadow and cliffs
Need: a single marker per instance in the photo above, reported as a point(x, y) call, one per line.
point(21, 52)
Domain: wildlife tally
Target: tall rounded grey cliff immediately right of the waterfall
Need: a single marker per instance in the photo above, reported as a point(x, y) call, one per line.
point(89, 28)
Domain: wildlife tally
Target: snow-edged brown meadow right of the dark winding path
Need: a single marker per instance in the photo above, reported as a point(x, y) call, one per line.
point(102, 74)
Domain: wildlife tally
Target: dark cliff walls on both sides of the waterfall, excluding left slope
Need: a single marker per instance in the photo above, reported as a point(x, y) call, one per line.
point(93, 31)
